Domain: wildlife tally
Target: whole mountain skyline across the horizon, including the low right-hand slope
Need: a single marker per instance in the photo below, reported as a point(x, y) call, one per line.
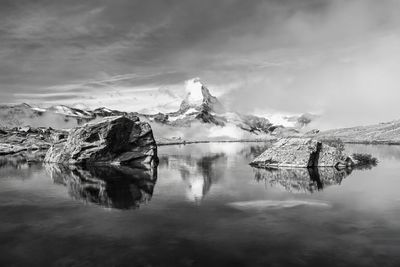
point(199, 108)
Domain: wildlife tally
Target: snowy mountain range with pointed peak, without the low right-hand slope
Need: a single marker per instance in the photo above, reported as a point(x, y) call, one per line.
point(198, 107)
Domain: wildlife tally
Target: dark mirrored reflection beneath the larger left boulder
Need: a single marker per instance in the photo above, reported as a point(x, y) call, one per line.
point(118, 187)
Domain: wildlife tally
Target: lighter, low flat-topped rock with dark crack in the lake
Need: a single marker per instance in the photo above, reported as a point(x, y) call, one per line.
point(293, 152)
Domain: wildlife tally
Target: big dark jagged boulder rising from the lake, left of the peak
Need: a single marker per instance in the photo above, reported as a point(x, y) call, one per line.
point(113, 140)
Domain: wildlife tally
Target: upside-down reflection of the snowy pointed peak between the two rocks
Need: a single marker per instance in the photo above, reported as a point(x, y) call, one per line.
point(198, 173)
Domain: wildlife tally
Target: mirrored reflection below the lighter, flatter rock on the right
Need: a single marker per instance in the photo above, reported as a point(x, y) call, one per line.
point(301, 180)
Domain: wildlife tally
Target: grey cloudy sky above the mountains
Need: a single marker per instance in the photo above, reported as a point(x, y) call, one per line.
point(338, 58)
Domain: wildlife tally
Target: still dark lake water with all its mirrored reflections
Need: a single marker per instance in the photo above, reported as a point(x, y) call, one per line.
point(203, 206)
